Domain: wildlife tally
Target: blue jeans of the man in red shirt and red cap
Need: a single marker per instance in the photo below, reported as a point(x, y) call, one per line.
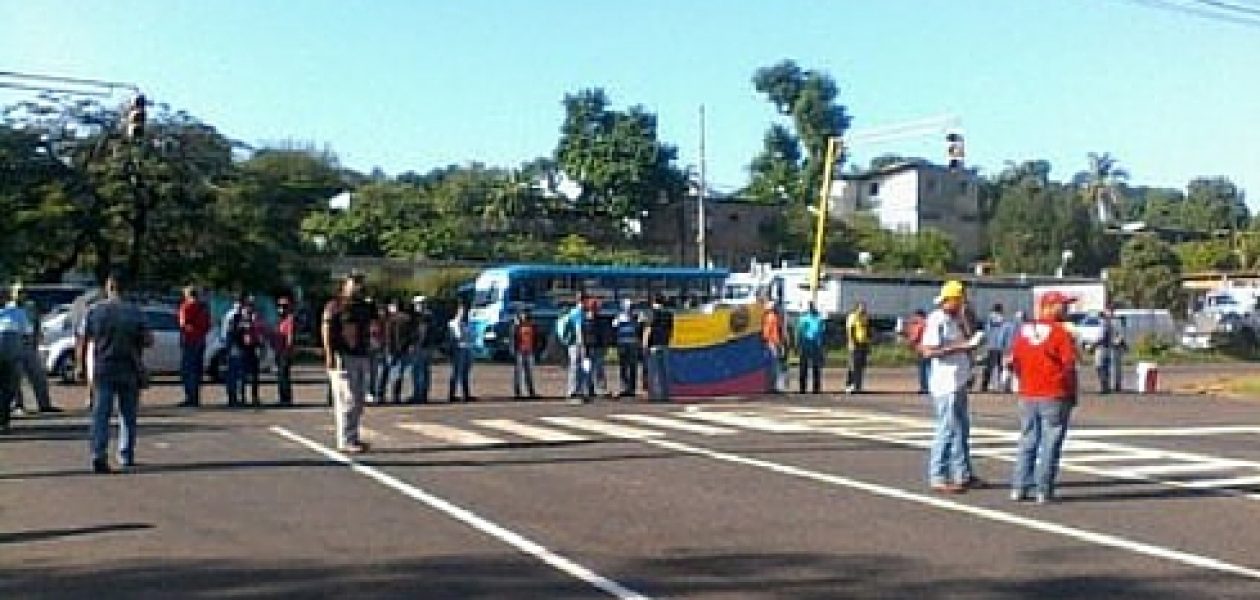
point(1043, 430)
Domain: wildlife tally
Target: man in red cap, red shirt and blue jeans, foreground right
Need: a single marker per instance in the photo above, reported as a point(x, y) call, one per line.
point(1044, 357)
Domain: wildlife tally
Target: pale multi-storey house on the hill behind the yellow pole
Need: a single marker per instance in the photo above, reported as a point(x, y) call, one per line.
point(913, 197)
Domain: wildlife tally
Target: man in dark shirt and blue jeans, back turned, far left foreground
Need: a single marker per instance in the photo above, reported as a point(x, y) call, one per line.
point(118, 335)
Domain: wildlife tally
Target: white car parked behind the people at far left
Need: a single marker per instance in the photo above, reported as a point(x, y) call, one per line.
point(57, 350)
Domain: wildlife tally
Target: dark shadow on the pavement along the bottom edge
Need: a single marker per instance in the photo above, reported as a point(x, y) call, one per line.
point(797, 577)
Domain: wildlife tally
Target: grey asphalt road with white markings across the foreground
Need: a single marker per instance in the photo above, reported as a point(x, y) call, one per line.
point(786, 497)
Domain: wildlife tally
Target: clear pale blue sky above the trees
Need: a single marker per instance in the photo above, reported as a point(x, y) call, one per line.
point(416, 85)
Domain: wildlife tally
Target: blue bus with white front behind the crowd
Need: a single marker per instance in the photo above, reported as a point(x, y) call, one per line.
point(547, 291)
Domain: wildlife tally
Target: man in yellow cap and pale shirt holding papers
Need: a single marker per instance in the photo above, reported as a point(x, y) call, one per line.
point(944, 342)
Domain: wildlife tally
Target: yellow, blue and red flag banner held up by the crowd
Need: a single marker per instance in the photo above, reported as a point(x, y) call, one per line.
point(720, 354)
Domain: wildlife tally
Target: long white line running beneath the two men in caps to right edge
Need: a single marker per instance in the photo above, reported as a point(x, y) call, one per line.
point(986, 514)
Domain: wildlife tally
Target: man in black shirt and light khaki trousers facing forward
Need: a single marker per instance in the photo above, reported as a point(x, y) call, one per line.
point(347, 332)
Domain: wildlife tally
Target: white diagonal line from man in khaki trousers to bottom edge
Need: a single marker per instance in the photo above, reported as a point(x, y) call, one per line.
point(472, 520)
